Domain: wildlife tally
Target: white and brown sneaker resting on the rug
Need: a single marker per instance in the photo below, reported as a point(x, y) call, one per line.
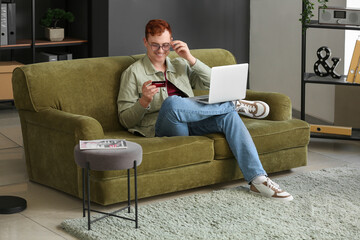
point(270, 189)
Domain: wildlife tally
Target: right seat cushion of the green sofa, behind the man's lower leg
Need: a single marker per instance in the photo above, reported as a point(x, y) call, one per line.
point(269, 136)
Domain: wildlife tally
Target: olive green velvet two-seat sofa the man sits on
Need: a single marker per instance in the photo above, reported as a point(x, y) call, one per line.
point(60, 103)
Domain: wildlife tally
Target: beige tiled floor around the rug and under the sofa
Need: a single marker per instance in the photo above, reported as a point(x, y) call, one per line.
point(47, 208)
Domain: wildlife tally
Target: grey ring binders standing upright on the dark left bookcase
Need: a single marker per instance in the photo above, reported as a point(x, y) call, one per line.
point(8, 22)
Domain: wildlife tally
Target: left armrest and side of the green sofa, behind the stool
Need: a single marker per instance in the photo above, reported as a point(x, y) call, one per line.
point(49, 139)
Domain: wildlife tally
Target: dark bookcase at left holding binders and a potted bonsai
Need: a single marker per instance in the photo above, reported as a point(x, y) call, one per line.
point(29, 39)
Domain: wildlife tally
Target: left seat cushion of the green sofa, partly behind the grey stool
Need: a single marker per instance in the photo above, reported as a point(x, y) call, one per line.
point(165, 152)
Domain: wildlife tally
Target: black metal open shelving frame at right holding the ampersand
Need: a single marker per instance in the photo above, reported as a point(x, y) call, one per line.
point(311, 78)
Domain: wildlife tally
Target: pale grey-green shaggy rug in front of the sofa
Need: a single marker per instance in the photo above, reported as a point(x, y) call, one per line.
point(326, 206)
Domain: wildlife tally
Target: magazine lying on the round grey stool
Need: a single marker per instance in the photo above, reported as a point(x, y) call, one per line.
point(102, 144)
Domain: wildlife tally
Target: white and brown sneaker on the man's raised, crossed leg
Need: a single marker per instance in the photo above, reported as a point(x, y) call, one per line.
point(253, 109)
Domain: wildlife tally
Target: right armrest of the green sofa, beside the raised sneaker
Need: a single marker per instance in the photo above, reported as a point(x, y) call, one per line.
point(280, 104)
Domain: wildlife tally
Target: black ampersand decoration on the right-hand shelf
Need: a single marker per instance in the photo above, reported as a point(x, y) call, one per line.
point(322, 61)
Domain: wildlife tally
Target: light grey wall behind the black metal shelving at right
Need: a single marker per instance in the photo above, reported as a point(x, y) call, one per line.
point(275, 59)
